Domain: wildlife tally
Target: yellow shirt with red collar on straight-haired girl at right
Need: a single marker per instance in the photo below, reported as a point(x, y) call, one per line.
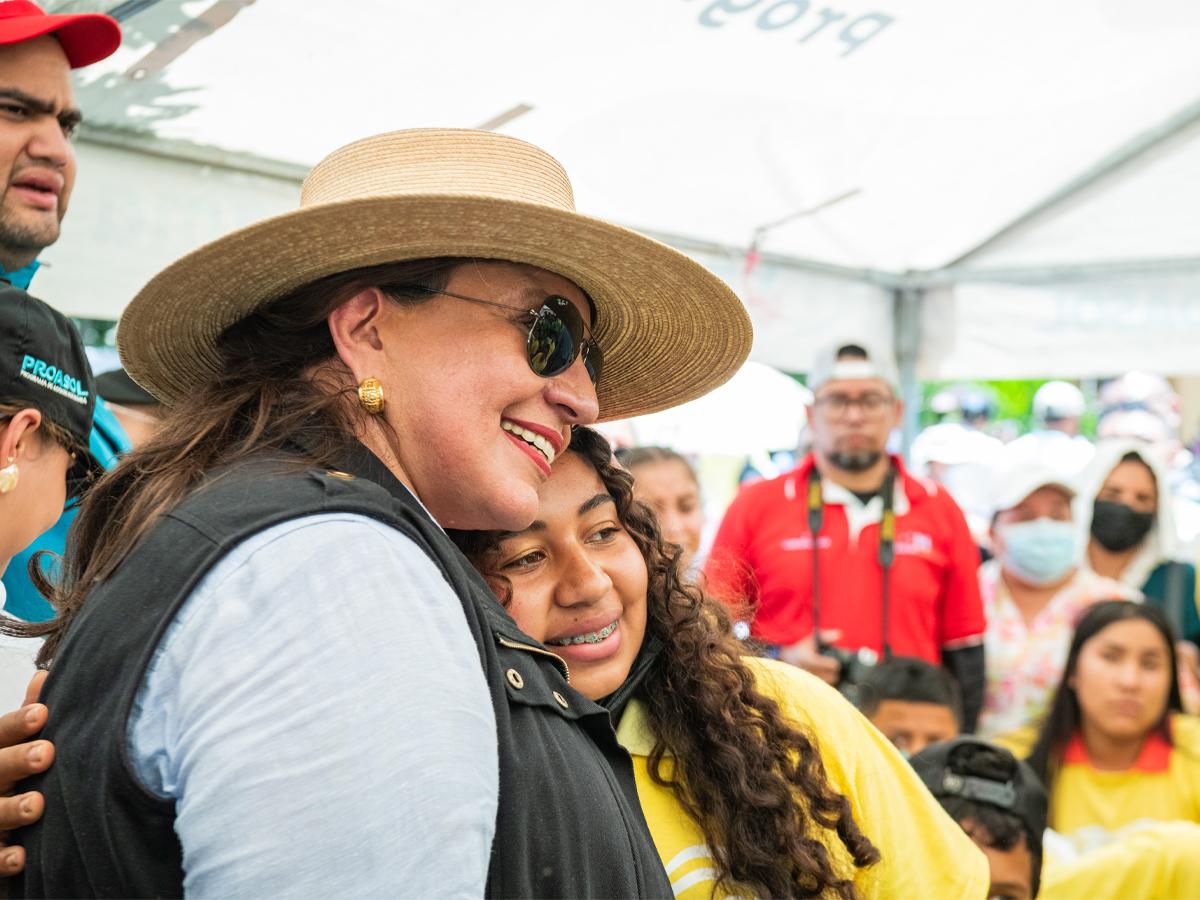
point(1088, 806)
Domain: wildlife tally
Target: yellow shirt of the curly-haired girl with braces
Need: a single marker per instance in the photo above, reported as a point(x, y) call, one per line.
point(925, 851)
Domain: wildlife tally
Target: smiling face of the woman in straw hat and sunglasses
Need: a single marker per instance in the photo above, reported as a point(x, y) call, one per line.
point(461, 395)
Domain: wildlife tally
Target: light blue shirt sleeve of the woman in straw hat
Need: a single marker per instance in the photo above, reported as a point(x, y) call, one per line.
point(320, 716)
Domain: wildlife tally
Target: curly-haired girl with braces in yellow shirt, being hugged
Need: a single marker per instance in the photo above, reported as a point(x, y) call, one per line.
point(755, 777)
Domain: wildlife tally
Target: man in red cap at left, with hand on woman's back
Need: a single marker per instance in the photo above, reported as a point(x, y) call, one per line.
point(38, 116)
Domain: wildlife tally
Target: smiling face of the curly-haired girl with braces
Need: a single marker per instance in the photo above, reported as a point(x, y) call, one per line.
point(578, 579)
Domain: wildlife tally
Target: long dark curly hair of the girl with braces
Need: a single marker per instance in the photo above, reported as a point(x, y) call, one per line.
point(751, 778)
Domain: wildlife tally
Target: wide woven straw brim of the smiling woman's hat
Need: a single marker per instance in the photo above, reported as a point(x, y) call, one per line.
point(670, 331)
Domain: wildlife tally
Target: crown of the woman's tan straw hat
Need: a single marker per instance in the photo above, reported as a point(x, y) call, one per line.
point(440, 163)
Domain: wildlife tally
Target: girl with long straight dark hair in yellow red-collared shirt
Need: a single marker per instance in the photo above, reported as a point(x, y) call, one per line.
point(1114, 748)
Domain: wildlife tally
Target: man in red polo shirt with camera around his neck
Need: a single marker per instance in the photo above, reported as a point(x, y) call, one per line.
point(763, 561)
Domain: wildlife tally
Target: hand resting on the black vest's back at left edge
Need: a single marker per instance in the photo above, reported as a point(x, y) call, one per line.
point(21, 759)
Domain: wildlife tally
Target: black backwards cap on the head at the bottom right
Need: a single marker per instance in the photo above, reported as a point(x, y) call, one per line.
point(944, 769)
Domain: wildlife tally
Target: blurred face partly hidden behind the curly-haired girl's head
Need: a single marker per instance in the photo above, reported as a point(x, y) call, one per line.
point(667, 483)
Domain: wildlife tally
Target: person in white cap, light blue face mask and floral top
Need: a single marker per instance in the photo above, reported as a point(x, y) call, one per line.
point(1034, 592)
